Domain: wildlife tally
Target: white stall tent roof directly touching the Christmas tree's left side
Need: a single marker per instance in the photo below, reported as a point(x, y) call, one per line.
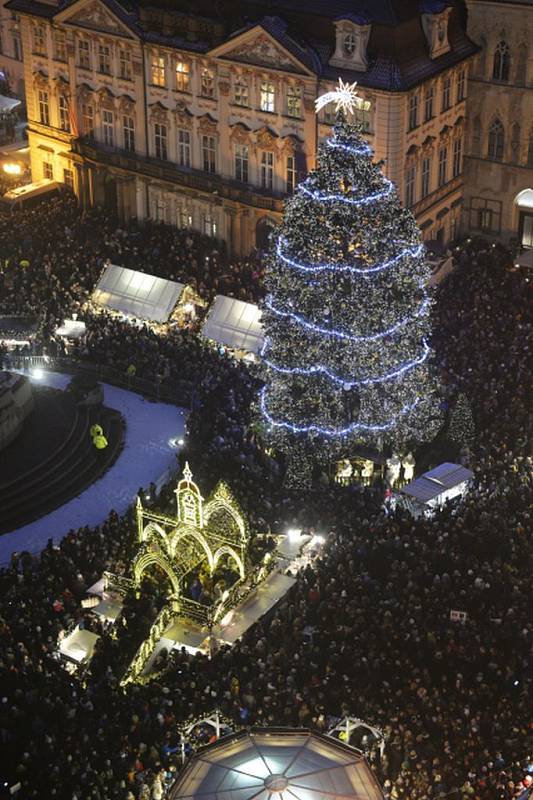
point(235, 324)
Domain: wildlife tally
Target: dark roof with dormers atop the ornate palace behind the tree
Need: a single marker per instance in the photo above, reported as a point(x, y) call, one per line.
point(398, 54)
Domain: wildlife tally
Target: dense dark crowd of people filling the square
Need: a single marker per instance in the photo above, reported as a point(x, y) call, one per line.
point(366, 629)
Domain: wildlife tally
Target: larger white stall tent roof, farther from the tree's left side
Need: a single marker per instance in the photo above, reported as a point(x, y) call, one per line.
point(137, 294)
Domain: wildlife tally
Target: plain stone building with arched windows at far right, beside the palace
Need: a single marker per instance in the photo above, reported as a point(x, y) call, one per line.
point(499, 163)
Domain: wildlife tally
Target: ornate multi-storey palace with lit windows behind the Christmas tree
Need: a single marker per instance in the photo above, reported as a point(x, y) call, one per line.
point(208, 121)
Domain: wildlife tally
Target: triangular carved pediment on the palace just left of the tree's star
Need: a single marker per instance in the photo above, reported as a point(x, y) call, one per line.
point(261, 50)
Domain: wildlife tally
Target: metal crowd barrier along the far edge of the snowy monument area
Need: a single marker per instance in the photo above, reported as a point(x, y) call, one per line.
point(178, 392)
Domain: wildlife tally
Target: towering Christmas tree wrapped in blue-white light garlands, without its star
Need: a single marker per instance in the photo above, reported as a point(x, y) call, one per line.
point(347, 314)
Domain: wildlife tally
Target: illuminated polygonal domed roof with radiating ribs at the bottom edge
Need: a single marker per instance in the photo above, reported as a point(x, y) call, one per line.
point(277, 764)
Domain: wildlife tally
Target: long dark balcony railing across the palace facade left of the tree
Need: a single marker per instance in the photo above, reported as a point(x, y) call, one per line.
point(172, 173)
